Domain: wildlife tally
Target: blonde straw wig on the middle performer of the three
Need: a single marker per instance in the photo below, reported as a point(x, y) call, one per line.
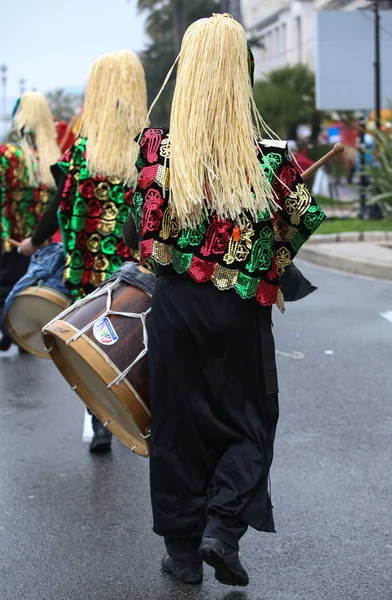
point(115, 111)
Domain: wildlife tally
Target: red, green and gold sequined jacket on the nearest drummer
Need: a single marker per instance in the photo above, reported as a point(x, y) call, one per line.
point(251, 262)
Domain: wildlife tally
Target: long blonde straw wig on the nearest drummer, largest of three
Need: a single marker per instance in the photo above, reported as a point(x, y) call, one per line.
point(214, 164)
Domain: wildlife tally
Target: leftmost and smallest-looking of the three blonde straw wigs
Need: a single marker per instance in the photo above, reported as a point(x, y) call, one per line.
point(33, 117)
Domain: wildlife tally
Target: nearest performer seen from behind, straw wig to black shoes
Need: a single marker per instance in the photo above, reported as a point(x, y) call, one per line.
point(222, 212)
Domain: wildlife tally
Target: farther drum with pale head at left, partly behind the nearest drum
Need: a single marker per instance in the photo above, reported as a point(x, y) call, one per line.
point(29, 312)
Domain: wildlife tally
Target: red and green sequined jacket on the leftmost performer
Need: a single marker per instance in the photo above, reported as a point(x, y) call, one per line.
point(21, 205)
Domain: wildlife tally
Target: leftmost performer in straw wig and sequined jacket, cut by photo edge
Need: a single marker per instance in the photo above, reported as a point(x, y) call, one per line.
point(26, 185)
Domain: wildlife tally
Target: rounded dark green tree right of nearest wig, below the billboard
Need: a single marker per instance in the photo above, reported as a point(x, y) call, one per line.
point(286, 99)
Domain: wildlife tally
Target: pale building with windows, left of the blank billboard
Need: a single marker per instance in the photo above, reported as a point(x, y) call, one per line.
point(285, 29)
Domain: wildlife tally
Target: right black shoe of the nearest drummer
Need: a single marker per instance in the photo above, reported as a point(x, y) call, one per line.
point(225, 560)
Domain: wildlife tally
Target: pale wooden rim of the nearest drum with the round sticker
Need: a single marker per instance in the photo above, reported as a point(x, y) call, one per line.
point(63, 331)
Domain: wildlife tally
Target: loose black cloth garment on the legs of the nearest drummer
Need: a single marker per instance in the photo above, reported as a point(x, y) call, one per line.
point(214, 405)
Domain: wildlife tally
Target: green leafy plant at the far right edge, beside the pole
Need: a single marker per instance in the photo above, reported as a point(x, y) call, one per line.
point(380, 173)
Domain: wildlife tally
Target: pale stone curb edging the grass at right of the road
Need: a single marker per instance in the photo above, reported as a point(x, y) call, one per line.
point(312, 252)
